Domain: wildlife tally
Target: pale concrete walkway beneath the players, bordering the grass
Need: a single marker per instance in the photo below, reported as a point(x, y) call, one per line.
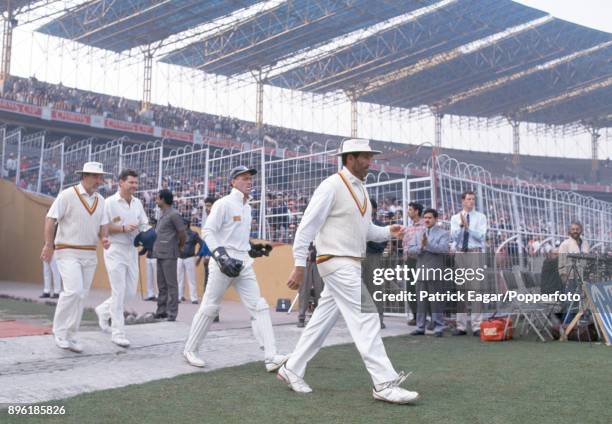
point(33, 369)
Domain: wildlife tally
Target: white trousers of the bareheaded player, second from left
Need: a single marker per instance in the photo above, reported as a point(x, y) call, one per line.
point(122, 266)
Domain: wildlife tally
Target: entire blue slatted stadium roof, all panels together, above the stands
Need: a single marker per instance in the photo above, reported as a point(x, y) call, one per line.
point(485, 58)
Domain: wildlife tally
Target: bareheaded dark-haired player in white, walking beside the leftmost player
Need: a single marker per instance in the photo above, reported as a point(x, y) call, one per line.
point(125, 217)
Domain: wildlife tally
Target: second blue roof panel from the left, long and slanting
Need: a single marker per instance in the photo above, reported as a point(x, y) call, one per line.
point(283, 30)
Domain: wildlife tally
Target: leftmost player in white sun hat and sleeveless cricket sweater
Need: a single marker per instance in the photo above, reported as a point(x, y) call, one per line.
point(77, 211)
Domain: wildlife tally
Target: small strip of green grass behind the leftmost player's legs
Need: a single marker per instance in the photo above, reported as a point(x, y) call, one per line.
point(27, 310)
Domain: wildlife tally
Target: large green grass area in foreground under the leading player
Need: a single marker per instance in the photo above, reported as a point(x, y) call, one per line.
point(461, 380)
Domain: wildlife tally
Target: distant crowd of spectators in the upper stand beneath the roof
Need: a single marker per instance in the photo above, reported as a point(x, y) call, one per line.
point(31, 90)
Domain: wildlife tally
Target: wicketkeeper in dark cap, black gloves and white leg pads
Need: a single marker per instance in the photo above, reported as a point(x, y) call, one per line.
point(226, 232)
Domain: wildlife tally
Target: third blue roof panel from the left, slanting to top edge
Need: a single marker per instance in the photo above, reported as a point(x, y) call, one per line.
point(441, 30)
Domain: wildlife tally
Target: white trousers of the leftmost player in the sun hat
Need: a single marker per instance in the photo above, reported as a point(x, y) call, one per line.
point(77, 269)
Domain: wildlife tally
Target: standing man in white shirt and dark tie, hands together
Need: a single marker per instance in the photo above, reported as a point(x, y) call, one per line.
point(469, 233)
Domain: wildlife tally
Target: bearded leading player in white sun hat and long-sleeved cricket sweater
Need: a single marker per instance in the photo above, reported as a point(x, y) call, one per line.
point(339, 219)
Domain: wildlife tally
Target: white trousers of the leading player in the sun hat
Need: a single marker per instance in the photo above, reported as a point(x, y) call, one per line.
point(342, 296)
